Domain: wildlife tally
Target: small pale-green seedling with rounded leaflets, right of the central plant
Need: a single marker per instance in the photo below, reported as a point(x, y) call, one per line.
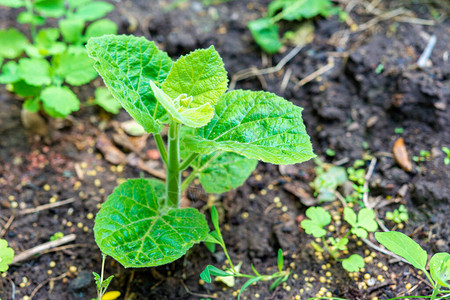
point(360, 224)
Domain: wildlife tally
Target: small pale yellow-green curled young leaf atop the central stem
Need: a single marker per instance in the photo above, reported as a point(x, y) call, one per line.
point(182, 110)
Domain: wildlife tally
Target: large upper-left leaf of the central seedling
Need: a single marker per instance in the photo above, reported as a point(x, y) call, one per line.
point(127, 64)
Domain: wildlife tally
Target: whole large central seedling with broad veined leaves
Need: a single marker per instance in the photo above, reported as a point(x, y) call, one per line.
point(219, 135)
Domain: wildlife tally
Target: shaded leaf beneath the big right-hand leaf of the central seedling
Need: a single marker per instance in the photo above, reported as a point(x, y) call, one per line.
point(223, 171)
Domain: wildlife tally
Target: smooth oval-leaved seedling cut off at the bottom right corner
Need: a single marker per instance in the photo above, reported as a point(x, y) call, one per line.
point(404, 246)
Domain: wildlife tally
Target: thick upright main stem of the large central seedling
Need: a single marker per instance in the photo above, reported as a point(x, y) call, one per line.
point(173, 181)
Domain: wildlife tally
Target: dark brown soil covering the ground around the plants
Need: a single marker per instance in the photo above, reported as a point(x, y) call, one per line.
point(350, 109)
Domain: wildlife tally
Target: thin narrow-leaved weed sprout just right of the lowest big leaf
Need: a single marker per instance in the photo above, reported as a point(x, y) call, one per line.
point(215, 237)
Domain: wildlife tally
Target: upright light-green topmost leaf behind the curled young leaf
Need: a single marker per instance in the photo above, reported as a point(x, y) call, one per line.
point(200, 74)
